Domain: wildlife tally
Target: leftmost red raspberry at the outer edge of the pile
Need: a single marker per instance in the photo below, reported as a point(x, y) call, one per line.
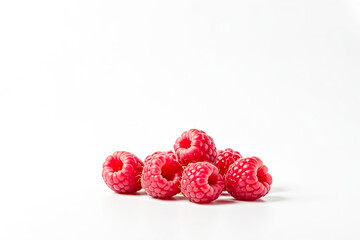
point(122, 171)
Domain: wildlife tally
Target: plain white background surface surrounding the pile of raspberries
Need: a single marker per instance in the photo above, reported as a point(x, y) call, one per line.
point(81, 79)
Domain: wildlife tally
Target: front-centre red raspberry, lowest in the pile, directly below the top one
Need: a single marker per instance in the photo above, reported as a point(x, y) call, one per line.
point(201, 182)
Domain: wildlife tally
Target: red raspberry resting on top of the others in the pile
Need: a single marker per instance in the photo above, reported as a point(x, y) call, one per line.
point(195, 146)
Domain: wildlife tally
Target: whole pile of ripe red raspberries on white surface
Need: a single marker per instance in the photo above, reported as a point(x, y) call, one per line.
point(195, 168)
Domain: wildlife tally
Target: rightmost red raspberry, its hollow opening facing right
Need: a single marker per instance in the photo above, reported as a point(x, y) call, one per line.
point(247, 179)
